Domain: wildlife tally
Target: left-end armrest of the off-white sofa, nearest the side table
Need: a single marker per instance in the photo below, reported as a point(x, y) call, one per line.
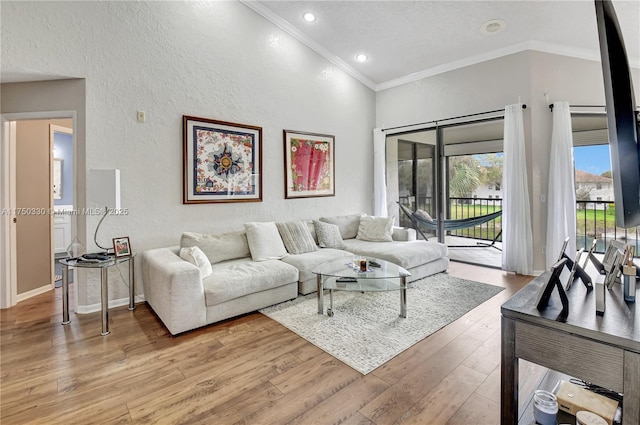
point(173, 288)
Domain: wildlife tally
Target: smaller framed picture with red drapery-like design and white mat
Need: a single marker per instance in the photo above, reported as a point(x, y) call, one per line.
point(309, 161)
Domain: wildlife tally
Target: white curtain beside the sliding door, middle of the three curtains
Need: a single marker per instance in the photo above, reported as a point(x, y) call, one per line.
point(517, 239)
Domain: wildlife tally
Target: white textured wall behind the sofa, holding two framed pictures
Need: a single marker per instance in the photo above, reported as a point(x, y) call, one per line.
point(218, 60)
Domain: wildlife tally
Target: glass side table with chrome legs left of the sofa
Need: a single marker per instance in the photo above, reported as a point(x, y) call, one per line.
point(104, 284)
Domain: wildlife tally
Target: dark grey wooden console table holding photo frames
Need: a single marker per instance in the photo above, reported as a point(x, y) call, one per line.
point(603, 350)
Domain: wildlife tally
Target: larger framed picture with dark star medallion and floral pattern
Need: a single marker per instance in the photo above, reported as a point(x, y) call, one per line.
point(222, 161)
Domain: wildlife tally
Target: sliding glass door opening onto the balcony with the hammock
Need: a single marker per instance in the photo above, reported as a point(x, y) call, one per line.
point(454, 173)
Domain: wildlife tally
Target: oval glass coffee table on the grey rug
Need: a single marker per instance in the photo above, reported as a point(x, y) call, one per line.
point(341, 274)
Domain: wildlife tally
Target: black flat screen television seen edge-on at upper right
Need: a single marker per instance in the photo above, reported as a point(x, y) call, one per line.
point(621, 116)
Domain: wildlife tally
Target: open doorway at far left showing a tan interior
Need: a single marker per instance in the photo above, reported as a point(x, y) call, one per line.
point(29, 242)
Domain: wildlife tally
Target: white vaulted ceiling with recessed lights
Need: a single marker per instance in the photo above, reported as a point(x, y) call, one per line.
point(408, 40)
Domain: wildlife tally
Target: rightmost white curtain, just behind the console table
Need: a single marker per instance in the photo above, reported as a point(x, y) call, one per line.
point(561, 195)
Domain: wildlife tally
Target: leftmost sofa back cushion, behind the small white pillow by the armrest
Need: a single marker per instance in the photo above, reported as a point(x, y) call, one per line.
point(218, 247)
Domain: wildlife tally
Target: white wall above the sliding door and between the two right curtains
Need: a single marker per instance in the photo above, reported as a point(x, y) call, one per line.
point(492, 85)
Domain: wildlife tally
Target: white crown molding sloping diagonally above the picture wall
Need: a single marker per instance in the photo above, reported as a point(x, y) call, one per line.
point(304, 39)
